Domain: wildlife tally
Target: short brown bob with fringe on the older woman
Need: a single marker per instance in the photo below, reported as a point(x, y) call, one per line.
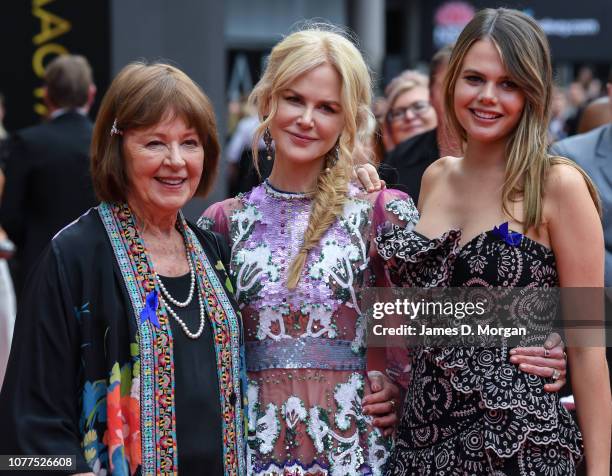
point(141, 96)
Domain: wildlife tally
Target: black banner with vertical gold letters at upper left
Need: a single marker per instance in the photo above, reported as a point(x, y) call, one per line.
point(36, 31)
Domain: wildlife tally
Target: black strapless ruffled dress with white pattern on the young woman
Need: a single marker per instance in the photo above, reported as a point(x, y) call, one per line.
point(468, 410)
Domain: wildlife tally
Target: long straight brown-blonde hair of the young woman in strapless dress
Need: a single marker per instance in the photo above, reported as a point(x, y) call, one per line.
point(525, 53)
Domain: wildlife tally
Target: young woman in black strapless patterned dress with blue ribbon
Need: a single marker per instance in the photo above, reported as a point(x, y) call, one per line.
point(490, 418)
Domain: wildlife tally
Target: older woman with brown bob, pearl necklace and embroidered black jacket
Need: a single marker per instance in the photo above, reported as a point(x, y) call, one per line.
point(127, 347)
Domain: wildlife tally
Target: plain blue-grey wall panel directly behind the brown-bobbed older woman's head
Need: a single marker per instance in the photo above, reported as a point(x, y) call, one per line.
point(188, 34)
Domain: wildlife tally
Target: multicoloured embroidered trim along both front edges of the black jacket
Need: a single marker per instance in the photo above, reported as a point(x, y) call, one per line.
point(157, 381)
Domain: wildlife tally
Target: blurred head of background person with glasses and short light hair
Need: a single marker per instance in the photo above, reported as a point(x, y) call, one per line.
point(409, 110)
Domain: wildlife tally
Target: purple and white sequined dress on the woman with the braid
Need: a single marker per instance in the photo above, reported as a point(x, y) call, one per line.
point(305, 349)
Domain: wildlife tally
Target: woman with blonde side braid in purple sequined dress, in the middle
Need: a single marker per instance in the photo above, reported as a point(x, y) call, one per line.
point(300, 255)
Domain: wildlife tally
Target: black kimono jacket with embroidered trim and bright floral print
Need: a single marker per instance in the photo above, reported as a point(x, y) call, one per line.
point(91, 373)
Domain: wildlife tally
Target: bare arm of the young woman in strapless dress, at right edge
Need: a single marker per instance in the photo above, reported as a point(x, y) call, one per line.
point(576, 237)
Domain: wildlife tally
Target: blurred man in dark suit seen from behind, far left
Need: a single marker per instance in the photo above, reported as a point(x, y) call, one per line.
point(47, 168)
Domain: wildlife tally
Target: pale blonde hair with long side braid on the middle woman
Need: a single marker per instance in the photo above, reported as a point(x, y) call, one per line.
point(297, 54)
